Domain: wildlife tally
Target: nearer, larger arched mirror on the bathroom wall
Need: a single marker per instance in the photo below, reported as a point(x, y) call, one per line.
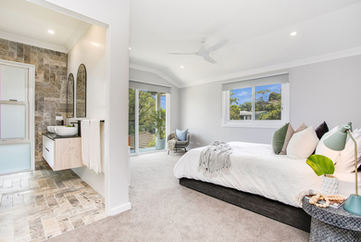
point(81, 92)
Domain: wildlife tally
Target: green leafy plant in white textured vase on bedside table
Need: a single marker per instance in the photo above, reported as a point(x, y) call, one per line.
point(323, 166)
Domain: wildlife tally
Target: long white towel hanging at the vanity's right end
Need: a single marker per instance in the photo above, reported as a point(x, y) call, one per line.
point(91, 145)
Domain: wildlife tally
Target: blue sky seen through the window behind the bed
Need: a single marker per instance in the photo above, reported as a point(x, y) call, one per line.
point(245, 94)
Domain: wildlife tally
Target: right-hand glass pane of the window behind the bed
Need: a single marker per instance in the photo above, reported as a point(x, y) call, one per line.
point(268, 102)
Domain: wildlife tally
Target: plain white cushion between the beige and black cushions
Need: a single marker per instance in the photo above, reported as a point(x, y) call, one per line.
point(302, 144)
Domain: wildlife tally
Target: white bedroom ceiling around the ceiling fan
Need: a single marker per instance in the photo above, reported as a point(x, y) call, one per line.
point(257, 32)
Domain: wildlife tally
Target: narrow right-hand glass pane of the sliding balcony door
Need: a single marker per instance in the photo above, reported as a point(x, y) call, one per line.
point(160, 121)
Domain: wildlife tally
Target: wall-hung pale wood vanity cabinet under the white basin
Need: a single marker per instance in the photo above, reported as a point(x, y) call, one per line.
point(62, 152)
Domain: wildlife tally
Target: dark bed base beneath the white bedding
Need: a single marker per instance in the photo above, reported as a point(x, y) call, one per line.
point(281, 212)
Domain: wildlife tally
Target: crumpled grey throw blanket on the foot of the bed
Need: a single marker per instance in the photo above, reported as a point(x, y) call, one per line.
point(215, 157)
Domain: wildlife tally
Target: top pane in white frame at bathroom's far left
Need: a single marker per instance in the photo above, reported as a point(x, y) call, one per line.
point(12, 83)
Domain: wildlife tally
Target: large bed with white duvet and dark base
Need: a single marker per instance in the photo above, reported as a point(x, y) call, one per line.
point(275, 181)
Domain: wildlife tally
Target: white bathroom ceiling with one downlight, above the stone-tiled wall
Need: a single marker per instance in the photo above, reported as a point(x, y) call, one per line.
point(26, 22)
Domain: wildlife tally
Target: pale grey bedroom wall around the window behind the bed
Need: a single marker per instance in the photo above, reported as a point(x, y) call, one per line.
point(327, 91)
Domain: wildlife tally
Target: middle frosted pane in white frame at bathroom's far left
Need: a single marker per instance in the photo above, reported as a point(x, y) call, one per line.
point(12, 121)
